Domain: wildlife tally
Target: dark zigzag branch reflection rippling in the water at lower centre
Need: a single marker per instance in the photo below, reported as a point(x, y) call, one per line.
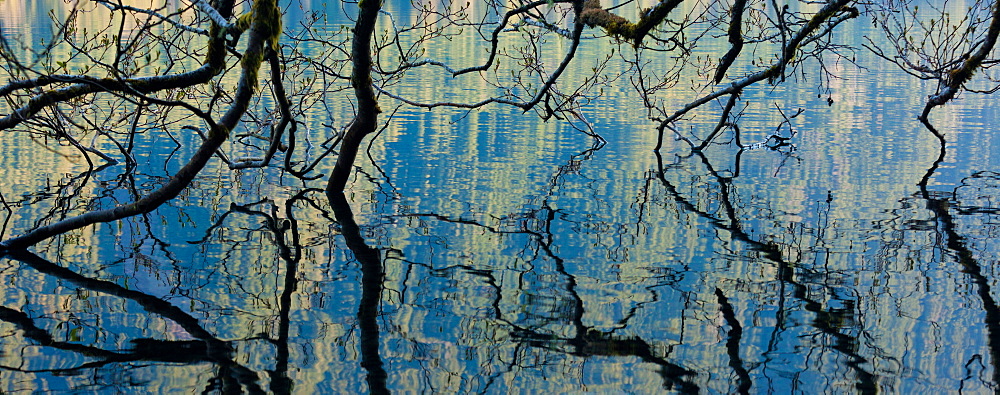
point(539, 251)
